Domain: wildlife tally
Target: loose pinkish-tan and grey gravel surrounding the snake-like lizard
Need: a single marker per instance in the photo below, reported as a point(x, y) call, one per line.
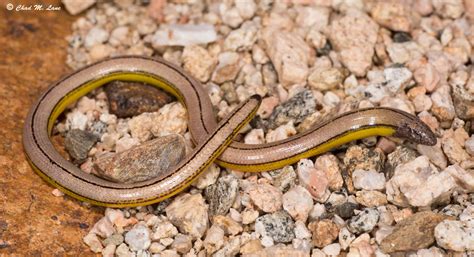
point(308, 60)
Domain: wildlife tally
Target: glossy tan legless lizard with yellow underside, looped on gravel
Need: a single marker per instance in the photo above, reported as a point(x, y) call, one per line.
point(212, 139)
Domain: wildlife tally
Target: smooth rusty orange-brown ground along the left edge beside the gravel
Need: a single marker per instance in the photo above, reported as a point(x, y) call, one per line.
point(33, 222)
